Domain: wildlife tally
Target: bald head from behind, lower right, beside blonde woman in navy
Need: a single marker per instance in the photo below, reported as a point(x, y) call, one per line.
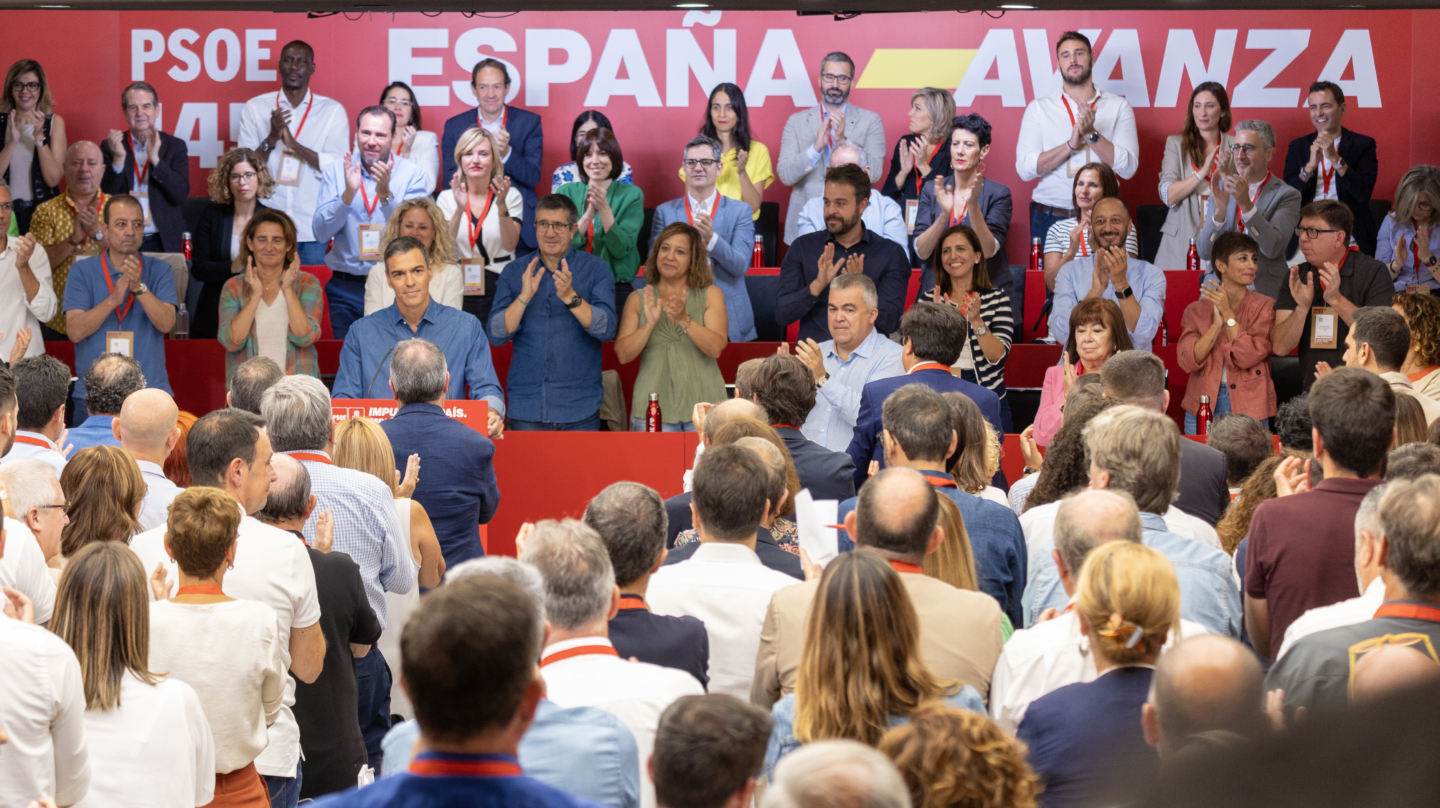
point(1205, 685)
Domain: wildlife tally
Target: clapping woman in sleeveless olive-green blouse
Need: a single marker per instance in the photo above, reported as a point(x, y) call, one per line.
point(678, 326)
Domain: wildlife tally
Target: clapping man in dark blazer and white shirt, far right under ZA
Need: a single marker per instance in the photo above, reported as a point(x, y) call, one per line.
point(1336, 163)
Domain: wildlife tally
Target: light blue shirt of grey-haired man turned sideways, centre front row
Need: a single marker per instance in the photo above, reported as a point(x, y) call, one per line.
point(837, 405)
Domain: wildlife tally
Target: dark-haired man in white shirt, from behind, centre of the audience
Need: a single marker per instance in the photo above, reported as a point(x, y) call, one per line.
point(724, 583)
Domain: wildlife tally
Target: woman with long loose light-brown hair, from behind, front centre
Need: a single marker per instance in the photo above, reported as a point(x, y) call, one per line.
point(860, 672)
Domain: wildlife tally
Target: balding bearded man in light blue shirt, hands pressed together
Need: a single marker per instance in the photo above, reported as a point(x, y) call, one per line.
point(1114, 274)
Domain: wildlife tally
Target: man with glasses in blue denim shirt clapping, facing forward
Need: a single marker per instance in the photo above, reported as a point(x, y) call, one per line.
point(558, 306)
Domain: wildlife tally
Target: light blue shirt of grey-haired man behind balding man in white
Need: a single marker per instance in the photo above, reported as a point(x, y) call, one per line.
point(1209, 594)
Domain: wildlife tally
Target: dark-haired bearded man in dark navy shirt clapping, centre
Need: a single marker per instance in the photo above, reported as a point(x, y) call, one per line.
point(846, 246)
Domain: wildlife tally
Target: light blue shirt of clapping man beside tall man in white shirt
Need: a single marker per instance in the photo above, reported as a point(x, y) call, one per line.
point(336, 221)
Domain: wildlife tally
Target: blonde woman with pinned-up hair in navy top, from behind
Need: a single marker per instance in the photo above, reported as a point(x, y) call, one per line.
point(1128, 604)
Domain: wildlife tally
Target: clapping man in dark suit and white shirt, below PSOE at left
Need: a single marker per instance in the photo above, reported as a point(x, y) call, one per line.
point(150, 166)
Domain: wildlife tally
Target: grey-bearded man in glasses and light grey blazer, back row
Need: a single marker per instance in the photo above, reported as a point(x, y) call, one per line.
point(811, 136)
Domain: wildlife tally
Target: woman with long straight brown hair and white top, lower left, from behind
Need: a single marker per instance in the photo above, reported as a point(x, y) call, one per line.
point(149, 741)
